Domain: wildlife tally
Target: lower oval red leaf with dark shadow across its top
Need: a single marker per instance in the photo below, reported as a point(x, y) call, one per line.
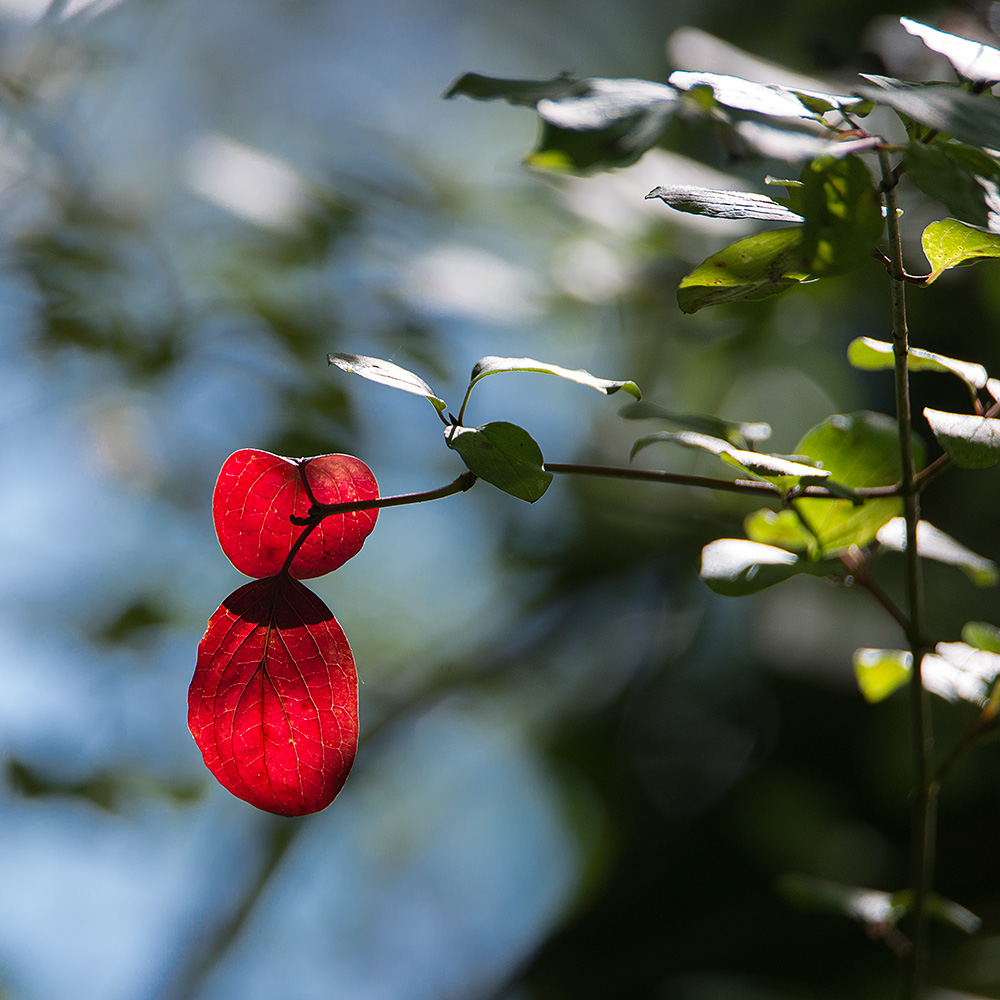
point(273, 705)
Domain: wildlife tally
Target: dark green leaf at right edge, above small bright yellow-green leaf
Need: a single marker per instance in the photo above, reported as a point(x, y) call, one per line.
point(958, 175)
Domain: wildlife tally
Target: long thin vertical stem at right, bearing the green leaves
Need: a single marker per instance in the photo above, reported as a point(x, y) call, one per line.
point(924, 797)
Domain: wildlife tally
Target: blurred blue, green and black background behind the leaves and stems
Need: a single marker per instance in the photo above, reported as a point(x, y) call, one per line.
point(582, 775)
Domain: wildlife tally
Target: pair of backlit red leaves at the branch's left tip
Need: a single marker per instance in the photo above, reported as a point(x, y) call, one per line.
point(273, 705)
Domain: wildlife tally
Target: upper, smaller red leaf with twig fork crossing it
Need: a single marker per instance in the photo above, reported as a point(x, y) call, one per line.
point(257, 492)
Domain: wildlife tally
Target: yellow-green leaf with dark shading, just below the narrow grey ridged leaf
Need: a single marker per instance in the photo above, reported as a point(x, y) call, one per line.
point(753, 268)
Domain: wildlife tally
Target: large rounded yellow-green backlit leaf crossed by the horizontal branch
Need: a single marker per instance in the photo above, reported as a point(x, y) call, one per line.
point(859, 450)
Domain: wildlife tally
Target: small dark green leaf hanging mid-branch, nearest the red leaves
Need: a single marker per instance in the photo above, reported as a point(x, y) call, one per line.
point(503, 454)
